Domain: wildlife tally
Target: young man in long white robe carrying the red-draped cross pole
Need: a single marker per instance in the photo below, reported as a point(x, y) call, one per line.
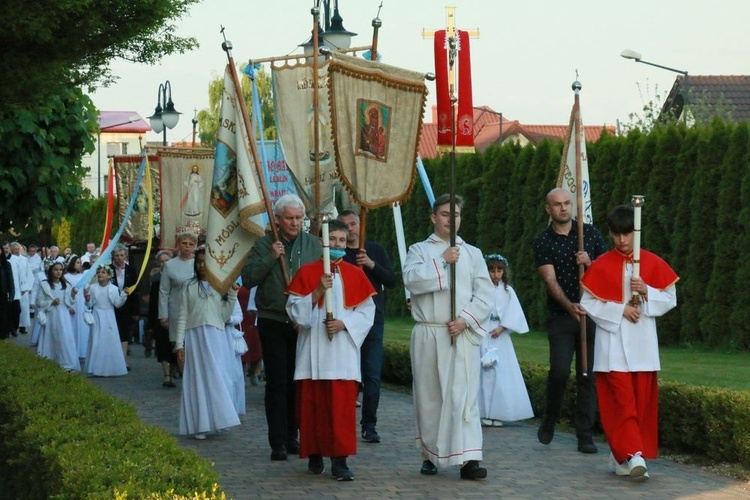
point(445, 350)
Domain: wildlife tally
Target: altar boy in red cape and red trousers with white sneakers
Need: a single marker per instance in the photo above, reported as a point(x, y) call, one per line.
point(626, 352)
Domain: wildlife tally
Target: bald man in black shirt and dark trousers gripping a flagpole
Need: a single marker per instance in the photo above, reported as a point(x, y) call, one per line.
point(557, 259)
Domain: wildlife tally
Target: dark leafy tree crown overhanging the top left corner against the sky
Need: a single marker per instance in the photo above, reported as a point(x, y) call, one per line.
point(50, 45)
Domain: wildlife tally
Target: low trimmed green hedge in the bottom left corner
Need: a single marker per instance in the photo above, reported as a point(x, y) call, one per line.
point(61, 437)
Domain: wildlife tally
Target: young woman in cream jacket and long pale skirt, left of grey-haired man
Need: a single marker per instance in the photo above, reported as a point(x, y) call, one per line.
point(207, 404)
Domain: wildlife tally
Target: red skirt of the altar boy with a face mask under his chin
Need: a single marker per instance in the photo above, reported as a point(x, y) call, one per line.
point(327, 417)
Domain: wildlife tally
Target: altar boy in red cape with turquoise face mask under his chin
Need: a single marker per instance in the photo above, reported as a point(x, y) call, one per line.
point(328, 365)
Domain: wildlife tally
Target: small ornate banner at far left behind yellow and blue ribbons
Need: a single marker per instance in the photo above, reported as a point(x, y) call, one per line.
point(126, 174)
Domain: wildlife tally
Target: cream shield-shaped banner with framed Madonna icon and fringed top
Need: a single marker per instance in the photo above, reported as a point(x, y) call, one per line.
point(376, 113)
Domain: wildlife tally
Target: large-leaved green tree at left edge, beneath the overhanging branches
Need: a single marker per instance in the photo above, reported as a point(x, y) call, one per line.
point(40, 160)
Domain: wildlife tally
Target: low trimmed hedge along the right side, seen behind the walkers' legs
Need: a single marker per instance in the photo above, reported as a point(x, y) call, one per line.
point(699, 420)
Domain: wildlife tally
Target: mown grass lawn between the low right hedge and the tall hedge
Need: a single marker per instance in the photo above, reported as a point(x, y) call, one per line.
point(690, 366)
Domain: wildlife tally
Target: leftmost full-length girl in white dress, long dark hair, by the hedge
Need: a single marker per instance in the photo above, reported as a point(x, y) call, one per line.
point(55, 299)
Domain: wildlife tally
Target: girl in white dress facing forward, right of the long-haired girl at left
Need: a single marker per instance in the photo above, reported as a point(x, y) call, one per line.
point(104, 357)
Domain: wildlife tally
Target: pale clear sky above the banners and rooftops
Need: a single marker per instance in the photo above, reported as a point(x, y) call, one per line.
point(523, 63)
